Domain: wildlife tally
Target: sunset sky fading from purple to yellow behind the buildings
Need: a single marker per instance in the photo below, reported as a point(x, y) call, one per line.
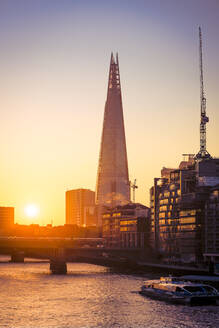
point(54, 63)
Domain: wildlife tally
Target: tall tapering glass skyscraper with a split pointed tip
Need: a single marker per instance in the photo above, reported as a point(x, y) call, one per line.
point(113, 187)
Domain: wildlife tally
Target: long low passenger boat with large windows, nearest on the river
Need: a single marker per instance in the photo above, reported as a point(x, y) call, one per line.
point(180, 292)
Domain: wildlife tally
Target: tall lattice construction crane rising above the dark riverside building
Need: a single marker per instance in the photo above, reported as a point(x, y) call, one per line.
point(203, 153)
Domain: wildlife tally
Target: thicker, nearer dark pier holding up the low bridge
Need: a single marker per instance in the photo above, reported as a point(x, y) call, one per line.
point(57, 261)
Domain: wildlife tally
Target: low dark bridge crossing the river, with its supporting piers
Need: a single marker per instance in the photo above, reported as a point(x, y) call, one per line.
point(62, 250)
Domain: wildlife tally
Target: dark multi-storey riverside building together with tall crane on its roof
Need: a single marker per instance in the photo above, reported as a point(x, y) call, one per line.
point(185, 203)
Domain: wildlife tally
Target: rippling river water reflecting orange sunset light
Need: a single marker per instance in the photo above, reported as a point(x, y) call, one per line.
point(88, 296)
